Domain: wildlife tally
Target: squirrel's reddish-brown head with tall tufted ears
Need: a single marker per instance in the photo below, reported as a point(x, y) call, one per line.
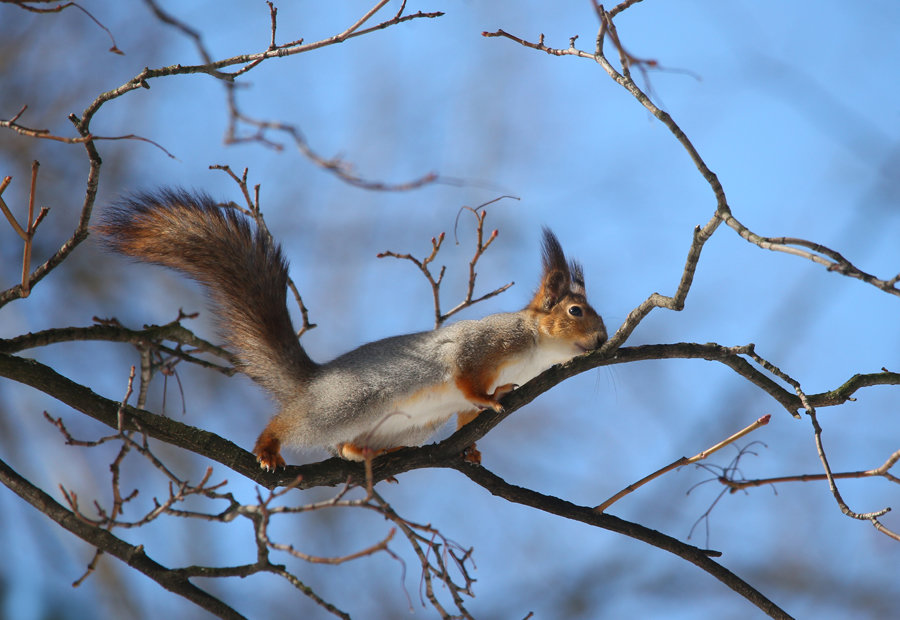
point(560, 304)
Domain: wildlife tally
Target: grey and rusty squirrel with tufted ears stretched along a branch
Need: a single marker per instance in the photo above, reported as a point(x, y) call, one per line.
point(381, 396)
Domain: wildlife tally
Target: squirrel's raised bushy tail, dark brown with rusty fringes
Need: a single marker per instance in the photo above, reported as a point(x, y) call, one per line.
point(243, 270)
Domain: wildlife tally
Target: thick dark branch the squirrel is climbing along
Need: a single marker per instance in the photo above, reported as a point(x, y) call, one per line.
point(336, 471)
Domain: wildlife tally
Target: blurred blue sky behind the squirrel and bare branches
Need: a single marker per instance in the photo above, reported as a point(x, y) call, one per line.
point(794, 106)
